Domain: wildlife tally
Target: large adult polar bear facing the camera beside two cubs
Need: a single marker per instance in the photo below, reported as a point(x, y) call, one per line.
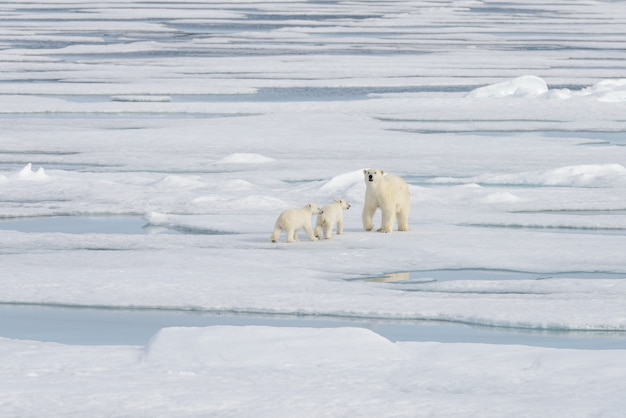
point(390, 193)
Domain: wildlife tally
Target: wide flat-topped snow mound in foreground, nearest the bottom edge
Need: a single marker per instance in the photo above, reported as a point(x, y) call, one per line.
point(261, 345)
